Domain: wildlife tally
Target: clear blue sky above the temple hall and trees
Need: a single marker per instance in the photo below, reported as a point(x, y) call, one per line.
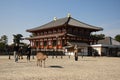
point(18, 15)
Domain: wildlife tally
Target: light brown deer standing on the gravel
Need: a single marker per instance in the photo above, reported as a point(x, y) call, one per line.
point(41, 57)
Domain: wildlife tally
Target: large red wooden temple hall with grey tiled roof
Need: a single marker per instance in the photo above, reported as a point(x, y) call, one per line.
point(61, 35)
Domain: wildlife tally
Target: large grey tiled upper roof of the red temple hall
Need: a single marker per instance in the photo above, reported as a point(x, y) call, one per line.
point(65, 21)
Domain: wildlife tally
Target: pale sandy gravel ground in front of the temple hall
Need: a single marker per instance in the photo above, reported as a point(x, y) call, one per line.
point(87, 68)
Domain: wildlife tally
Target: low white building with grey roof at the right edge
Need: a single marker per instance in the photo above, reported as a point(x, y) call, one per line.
point(107, 47)
